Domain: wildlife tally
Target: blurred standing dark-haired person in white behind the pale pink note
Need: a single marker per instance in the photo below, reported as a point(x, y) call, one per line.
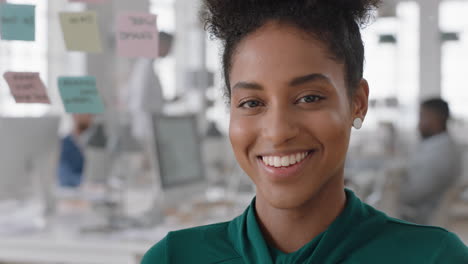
point(144, 93)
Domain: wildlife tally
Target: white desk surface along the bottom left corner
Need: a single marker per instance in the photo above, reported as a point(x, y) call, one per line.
point(46, 248)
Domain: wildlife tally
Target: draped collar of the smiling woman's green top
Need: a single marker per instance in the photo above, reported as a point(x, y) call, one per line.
point(351, 229)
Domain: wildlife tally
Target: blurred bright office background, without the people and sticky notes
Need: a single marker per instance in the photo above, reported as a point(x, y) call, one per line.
point(134, 191)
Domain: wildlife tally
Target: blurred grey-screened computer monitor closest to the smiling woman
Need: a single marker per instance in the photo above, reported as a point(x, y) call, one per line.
point(178, 157)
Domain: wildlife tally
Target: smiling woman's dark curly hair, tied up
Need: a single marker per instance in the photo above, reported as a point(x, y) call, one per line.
point(336, 23)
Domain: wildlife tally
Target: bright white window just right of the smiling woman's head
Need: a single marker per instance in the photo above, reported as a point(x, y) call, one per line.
point(391, 65)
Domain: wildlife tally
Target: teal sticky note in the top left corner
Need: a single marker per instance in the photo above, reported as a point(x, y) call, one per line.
point(18, 22)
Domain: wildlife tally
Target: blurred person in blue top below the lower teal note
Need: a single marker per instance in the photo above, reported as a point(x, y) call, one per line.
point(72, 160)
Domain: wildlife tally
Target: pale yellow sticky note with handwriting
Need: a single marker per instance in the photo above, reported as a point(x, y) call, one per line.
point(80, 31)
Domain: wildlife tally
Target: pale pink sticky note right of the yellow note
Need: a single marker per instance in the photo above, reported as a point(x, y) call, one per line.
point(137, 35)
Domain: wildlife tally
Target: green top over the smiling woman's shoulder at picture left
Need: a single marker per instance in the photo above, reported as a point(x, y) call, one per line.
point(203, 244)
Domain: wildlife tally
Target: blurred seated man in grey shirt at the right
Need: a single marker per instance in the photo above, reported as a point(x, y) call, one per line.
point(434, 168)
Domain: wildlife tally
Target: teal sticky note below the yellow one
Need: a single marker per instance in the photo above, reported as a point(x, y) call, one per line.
point(80, 95)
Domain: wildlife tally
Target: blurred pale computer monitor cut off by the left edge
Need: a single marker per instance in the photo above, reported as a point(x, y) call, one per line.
point(28, 156)
